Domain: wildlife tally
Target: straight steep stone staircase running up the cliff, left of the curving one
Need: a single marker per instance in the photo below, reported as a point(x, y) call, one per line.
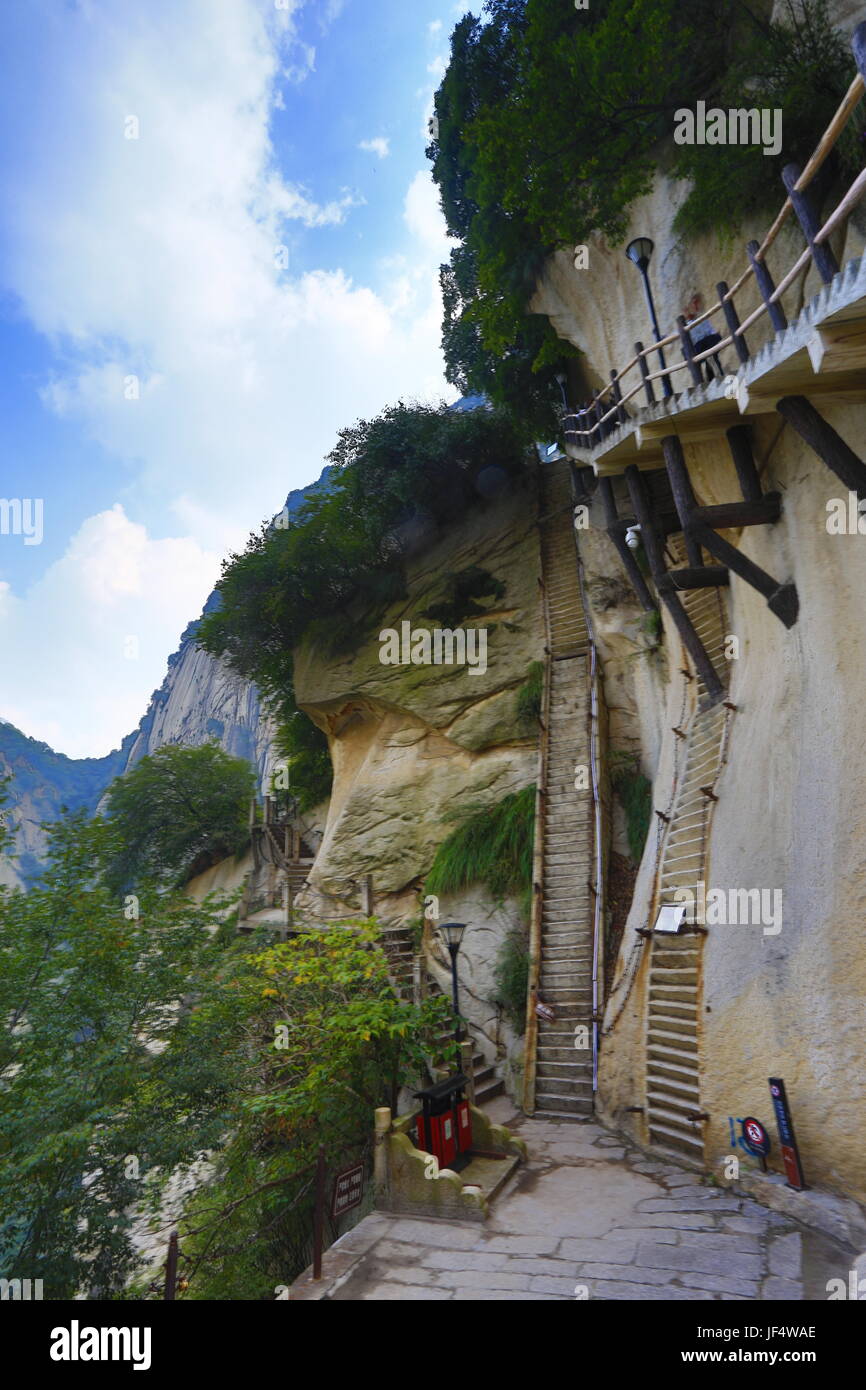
point(564, 1074)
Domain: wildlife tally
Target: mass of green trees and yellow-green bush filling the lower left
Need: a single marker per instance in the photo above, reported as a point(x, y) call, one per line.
point(136, 1042)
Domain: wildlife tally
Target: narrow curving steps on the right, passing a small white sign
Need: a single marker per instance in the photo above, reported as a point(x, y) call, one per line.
point(673, 1042)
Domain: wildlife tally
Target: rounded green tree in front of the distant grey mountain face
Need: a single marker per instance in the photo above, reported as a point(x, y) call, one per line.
point(180, 810)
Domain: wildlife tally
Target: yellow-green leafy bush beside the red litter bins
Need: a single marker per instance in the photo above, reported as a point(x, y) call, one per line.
point(323, 1042)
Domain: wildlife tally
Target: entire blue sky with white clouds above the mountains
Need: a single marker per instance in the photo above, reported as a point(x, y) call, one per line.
point(219, 244)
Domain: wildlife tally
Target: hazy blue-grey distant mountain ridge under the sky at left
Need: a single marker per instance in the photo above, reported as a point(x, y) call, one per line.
point(199, 700)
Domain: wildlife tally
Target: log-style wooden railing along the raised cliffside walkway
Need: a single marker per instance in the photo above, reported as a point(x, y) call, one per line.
point(586, 429)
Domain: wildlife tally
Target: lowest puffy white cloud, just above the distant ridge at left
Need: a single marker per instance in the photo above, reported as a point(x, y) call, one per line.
point(116, 593)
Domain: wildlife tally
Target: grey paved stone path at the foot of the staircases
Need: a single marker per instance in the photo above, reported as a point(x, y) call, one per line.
point(586, 1218)
